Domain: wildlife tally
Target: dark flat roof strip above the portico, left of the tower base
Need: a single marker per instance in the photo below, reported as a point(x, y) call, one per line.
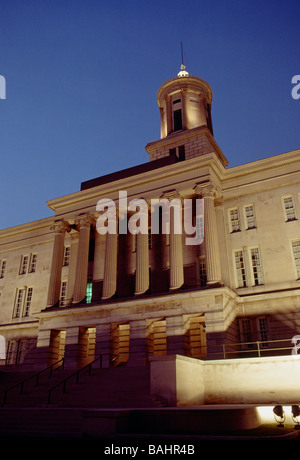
point(128, 172)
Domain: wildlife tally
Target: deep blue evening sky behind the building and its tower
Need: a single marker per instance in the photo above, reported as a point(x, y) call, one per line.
point(82, 78)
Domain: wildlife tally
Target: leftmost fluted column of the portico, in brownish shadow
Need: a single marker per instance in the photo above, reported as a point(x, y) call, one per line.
point(60, 228)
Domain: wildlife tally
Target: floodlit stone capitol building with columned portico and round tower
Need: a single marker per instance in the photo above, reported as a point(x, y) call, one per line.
point(68, 291)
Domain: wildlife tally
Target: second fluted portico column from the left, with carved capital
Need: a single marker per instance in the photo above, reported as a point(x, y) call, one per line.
point(84, 225)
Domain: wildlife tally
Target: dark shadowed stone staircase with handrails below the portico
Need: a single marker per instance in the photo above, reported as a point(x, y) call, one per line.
point(108, 387)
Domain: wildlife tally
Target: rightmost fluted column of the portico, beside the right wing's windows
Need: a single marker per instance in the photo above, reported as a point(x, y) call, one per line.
point(212, 253)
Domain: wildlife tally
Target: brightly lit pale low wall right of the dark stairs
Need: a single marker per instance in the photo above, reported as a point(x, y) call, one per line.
point(184, 381)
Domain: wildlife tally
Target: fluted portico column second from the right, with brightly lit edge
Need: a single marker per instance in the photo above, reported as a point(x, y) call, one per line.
point(176, 259)
